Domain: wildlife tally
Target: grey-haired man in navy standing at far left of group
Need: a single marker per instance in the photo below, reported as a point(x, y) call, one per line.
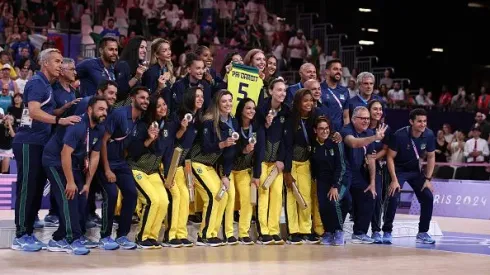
point(28, 145)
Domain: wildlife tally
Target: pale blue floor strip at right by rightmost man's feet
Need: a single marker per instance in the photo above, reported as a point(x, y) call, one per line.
point(452, 242)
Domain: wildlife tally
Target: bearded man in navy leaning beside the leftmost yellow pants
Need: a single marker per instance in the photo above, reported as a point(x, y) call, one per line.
point(120, 126)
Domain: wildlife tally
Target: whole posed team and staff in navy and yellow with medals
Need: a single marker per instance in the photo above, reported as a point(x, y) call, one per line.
point(164, 147)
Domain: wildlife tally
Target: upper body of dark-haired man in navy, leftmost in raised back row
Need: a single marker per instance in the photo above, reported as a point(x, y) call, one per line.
point(92, 71)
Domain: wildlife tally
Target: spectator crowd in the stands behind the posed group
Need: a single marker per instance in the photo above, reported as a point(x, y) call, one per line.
point(240, 25)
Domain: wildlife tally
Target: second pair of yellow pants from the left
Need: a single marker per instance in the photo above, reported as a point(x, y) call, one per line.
point(178, 211)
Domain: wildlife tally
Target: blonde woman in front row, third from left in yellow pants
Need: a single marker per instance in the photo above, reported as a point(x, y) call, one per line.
point(215, 147)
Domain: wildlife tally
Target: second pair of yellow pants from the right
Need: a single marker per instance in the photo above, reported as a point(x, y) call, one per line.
point(269, 202)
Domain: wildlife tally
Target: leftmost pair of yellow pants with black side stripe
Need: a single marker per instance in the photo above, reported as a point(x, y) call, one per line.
point(154, 204)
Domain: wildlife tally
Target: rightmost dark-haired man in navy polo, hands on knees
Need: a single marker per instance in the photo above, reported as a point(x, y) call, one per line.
point(408, 147)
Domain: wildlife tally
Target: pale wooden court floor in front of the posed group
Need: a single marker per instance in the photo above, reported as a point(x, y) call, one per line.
point(287, 259)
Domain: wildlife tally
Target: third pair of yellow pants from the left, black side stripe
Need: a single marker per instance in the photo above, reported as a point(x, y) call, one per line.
point(208, 183)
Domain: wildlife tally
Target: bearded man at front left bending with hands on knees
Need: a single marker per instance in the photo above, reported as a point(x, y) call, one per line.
point(70, 159)
